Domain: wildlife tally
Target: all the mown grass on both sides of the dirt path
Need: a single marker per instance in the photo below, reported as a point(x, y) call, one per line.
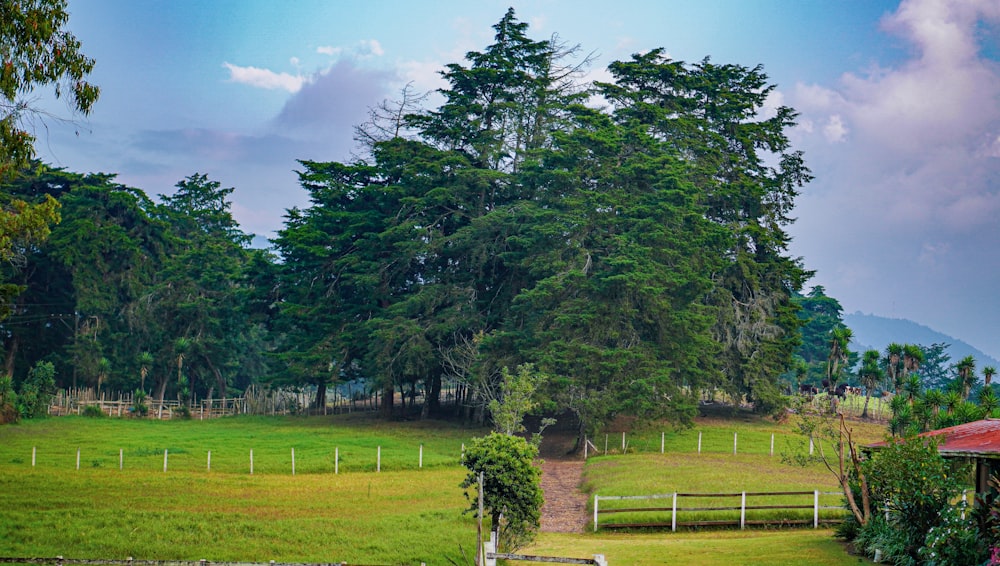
point(402, 515)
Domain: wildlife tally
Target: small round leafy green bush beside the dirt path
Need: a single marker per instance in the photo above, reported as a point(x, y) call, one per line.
point(512, 493)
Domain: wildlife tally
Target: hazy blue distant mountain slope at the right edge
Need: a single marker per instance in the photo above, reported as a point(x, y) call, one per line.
point(877, 332)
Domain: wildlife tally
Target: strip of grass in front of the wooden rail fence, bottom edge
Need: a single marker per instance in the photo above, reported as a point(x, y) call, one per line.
point(705, 548)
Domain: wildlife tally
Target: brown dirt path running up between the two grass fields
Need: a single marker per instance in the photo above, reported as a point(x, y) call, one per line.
point(565, 508)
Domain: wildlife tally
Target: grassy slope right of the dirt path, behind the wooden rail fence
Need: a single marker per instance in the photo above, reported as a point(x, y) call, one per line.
point(715, 470)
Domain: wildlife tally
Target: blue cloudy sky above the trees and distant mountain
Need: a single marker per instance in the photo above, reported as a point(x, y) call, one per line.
point(898, 101)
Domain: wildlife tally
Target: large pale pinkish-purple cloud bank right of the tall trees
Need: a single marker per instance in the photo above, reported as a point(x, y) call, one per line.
point(906, 160)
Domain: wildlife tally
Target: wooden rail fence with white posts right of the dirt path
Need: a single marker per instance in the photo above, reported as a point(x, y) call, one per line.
point(674, 509)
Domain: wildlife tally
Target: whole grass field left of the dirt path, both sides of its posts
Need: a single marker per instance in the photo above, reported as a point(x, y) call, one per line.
point(402, 515)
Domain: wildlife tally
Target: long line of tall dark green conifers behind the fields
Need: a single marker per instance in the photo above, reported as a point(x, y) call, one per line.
point(627, 238)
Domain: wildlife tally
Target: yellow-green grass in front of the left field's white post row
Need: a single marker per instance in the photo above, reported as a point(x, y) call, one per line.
point(392, 517)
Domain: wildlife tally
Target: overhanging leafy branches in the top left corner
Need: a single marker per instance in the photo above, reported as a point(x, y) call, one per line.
point(38, 51)
